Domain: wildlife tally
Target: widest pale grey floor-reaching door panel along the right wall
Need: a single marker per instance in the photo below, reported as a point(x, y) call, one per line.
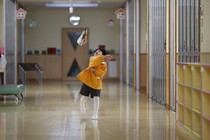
point(157, 50)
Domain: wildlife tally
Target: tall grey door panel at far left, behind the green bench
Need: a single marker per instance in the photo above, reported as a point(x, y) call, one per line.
point(10, 42)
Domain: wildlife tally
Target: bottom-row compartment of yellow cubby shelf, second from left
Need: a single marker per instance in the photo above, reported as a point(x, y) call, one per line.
point(188, 118)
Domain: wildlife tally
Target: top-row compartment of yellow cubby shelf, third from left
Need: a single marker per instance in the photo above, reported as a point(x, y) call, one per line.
point(196, 77)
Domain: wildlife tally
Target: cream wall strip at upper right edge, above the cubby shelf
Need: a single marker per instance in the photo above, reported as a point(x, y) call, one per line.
point(205, 22)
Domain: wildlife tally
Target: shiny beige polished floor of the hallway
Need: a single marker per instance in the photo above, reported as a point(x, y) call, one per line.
point(50, 111)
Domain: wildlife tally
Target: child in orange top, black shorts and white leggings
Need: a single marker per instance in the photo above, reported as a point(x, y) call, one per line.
point(91, 79)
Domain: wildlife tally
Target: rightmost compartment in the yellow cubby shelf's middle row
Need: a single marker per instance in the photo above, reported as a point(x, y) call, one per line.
point(205, 104)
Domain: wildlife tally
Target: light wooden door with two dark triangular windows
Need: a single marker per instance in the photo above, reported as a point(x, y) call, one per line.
point(74, 57)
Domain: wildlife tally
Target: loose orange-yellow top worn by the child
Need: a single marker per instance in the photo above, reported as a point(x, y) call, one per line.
point(94, 79)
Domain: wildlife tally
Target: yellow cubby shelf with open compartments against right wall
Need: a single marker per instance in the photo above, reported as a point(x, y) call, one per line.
point(193, 98)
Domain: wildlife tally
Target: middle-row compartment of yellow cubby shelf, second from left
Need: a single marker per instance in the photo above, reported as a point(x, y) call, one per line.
point(188, 97)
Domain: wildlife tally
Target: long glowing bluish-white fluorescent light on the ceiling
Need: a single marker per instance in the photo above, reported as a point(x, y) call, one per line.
point(71, 5)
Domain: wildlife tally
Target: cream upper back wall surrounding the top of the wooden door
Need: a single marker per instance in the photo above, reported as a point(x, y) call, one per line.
point(47, 32)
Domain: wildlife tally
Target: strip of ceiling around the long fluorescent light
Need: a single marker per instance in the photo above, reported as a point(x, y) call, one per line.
point(102, 3)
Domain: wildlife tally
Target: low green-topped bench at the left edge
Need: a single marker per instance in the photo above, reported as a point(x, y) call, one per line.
point(16, 90)
